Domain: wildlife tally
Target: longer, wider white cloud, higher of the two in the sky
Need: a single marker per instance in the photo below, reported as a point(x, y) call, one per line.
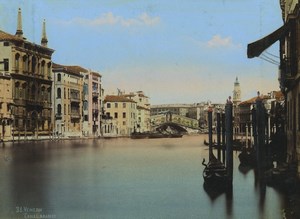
point(110, 19)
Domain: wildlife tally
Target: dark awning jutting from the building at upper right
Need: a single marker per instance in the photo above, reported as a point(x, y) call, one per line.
point(256, 48)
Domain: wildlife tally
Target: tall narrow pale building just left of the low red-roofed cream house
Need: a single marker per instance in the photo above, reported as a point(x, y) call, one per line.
point(92, 104)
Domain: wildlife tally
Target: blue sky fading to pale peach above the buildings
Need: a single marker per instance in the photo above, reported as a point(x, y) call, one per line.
point(176, 51)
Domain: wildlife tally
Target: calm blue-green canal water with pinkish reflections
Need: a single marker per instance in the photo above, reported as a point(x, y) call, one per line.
point(124, 178)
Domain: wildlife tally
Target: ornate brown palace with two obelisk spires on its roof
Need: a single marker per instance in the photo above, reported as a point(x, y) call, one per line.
point(26, 85)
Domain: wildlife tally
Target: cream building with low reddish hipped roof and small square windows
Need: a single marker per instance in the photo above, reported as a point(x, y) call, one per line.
point(123, 111)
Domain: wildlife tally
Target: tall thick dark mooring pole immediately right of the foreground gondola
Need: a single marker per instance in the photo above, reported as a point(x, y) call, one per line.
point(229, 140)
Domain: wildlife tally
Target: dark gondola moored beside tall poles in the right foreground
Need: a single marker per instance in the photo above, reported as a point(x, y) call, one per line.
point(215, 172)
